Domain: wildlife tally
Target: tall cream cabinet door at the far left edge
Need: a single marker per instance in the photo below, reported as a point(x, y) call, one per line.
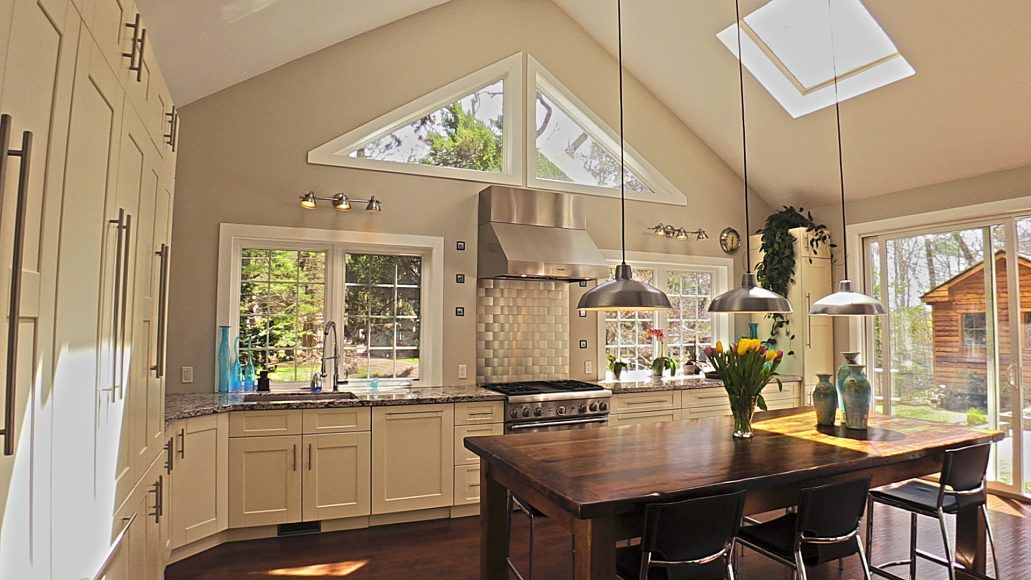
point(38, 59)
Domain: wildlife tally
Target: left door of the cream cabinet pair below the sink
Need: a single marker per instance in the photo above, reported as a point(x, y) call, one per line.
point(264, 481)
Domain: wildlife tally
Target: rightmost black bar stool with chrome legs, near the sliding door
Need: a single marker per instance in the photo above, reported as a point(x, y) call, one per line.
point(961, 487)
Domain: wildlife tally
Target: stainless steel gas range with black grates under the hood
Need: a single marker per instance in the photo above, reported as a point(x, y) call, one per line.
point(553, 404)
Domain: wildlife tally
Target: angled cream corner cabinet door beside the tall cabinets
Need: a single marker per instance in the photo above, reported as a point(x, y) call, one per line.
point(196, 479)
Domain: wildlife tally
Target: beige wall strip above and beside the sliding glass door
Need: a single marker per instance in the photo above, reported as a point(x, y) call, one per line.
point(995, 187)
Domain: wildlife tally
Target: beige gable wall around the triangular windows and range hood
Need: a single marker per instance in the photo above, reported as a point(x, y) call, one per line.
point(243, 158)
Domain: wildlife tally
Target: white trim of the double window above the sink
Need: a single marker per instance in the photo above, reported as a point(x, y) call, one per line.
point(235, 237)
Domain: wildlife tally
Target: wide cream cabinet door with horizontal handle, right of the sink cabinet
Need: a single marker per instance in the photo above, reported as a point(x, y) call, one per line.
point(413, 458)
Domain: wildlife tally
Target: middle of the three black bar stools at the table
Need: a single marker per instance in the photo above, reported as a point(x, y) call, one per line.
point(824, 529)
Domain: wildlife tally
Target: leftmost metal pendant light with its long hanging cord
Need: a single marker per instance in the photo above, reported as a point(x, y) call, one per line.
point(624, 293)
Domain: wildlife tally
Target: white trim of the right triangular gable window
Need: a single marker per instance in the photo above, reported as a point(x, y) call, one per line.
point(663, 190)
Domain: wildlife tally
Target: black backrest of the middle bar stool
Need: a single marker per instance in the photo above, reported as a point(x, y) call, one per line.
point(834, 510)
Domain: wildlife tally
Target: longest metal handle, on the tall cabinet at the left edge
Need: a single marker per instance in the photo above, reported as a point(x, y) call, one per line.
point(16, 275)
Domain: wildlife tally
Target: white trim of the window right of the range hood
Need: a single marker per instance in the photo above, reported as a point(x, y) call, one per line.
point(661, 263)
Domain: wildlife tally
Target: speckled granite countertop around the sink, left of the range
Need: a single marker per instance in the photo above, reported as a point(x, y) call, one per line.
point(181, 406)
